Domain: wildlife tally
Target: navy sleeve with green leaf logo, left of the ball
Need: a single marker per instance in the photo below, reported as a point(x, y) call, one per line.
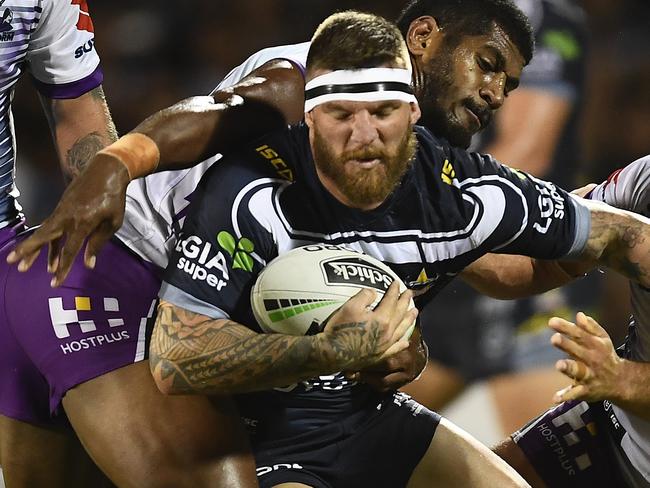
point(223, 244)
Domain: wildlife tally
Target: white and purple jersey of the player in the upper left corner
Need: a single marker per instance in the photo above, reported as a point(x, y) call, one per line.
point(54, 41)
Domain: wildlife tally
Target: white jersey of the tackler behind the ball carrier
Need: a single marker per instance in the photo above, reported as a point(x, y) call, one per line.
point(155, 205)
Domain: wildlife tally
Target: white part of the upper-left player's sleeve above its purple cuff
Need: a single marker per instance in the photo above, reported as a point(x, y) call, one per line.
point(62, 49)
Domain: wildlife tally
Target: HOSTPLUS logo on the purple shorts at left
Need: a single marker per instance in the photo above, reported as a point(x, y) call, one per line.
point(63, 320)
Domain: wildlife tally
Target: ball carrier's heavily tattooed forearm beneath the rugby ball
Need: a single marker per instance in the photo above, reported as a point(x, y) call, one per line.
point(192, 353)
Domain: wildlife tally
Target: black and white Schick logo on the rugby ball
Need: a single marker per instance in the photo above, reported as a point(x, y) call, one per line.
point(355, 272)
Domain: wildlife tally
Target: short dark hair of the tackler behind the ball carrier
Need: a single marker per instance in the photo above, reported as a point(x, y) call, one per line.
point(473, 17)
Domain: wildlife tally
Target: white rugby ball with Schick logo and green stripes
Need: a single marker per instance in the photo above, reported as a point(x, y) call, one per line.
point(297, 291)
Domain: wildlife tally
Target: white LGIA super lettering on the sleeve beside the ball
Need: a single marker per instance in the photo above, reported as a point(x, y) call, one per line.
point(202, 262)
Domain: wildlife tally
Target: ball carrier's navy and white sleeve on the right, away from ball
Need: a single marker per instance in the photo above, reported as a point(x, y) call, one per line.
point(516, 213)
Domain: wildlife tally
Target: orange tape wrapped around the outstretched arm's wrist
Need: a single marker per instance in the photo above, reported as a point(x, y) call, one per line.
point(138, 153)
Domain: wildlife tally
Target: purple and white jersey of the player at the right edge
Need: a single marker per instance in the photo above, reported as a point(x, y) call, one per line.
point(629, 189)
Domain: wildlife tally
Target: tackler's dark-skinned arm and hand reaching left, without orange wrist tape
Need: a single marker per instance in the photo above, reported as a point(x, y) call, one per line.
point(92, 207)
